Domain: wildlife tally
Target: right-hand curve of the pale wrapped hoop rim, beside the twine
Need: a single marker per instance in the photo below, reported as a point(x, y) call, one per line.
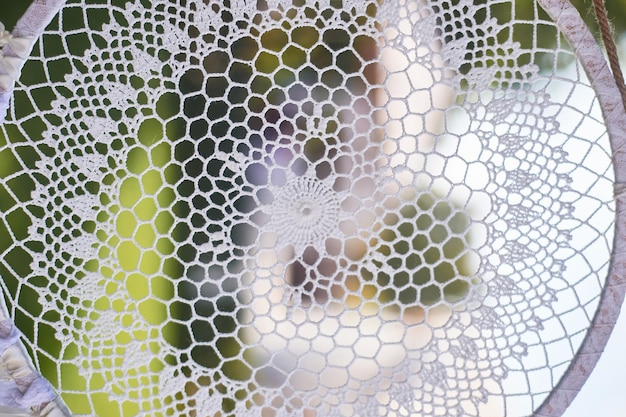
point(588, 52)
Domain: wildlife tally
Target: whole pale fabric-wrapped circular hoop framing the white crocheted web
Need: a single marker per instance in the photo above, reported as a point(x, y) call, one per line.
point(590, 56)
